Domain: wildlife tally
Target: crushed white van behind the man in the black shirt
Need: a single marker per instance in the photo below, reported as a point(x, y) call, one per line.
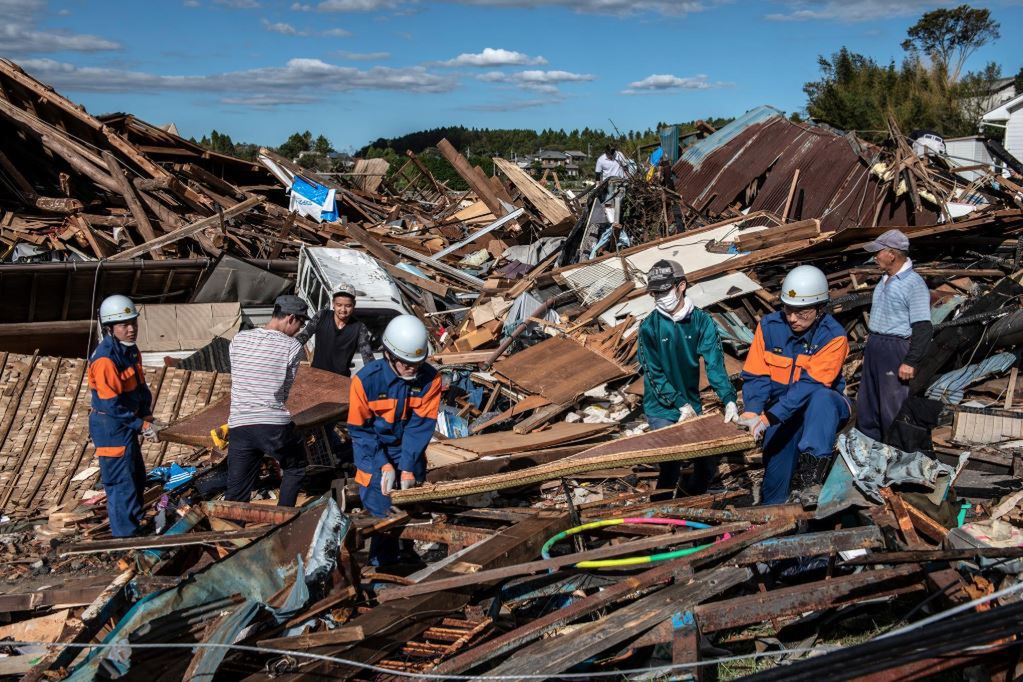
point(379, 300)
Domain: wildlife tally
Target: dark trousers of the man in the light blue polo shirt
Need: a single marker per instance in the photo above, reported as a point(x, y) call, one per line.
point(881, 392)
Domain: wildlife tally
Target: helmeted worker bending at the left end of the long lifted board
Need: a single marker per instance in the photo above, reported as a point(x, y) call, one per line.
point(392, 415)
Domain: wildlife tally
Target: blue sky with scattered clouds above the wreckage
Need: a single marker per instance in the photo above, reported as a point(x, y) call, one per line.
point(359, 70)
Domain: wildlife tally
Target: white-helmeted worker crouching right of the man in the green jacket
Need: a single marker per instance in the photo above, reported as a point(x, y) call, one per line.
point(793, 387)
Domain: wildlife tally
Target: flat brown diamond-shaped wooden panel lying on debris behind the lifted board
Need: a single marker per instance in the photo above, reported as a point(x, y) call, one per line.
point(561, 370)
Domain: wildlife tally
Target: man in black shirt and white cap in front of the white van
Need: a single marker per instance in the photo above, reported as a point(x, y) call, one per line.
point(339, 335)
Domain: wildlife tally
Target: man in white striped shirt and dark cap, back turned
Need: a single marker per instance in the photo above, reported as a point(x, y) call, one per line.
point(264, 363)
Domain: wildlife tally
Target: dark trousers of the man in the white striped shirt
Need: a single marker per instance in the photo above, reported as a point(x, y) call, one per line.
point(246, 449)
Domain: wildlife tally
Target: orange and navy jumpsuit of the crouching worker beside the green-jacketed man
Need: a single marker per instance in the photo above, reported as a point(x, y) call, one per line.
point(795, 383)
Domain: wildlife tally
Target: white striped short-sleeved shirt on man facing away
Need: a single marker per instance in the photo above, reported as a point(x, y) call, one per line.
point(263, 367)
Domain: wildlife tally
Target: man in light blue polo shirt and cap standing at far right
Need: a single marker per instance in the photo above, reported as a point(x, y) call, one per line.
point(901, 333)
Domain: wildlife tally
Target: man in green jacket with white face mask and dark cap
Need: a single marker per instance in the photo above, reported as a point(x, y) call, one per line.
point(673, 340)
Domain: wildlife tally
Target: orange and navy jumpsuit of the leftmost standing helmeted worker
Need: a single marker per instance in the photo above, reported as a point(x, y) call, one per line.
point(122, 406)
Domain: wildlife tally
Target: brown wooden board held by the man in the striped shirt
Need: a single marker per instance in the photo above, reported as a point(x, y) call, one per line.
point(317, 397)
